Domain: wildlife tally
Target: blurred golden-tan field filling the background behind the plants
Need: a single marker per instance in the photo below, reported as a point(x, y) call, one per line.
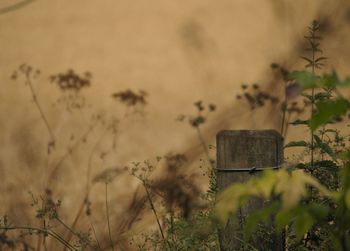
point(178, 52)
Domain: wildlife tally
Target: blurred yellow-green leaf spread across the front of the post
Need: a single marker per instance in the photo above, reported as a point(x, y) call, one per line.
point(291, 187)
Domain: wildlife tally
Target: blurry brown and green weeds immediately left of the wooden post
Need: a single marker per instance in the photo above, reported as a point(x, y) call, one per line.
point(174, 200)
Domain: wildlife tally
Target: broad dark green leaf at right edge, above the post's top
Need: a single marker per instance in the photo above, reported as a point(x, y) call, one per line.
point(328, 109)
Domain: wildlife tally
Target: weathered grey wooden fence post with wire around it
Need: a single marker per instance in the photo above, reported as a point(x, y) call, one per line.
point(240, 155)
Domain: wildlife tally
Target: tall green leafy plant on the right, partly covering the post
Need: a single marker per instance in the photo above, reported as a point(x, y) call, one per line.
point(311, 200)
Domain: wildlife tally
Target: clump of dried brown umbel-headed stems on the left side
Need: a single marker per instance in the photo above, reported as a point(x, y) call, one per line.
point(50, 224)
